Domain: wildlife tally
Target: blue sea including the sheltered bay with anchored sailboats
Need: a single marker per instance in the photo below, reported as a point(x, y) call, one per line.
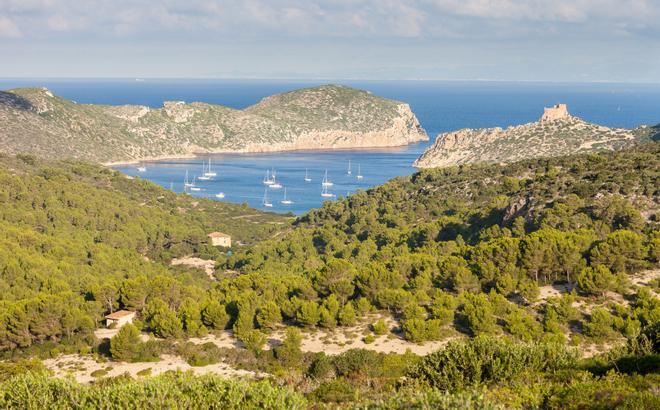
point(440, 106)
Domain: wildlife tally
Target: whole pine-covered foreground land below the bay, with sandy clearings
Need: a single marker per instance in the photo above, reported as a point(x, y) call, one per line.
point(528, 285)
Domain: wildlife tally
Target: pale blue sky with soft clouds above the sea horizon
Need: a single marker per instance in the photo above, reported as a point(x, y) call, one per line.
point(508, 40)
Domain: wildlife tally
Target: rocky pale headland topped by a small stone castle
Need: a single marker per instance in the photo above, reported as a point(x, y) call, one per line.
point(553, 135)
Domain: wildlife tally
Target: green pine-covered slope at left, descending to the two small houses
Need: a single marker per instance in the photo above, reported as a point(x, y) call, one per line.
point(76, 239)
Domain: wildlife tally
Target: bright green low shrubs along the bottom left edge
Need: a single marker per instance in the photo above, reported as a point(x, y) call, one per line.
point(172, 390)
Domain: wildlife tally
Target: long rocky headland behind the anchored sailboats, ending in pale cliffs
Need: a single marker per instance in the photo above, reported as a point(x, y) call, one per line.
point(38, 122)
